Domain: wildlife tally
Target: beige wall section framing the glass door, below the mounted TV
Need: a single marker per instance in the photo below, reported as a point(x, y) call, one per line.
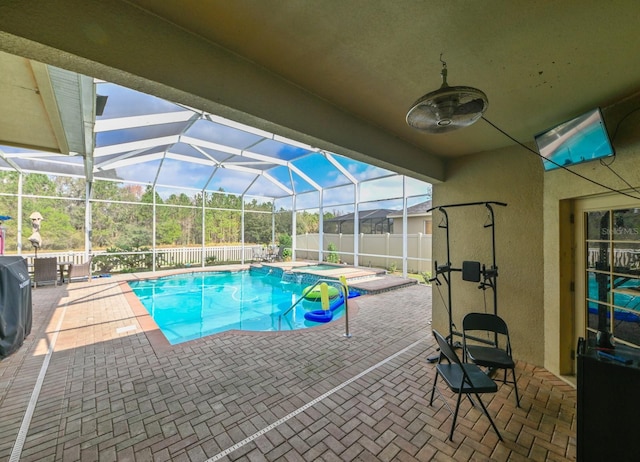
point(560, 189)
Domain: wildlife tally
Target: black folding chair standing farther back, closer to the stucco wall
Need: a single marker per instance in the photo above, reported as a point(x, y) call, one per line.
point(482, 337)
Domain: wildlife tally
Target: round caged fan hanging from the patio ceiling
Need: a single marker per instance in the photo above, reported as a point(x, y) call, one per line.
point(447, 108)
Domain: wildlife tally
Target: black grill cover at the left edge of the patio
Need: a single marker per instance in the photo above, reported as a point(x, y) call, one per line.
point(15, 304)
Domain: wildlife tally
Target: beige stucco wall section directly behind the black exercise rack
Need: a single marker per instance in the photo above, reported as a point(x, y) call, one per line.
point(513, 176)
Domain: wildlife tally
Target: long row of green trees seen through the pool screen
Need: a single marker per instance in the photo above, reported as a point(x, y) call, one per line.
point(122, 216)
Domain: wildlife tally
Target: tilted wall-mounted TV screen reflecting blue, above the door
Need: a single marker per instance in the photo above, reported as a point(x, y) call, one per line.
point(578, 140)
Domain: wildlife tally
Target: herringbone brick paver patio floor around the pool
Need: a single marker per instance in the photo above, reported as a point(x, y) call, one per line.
point(109, 391)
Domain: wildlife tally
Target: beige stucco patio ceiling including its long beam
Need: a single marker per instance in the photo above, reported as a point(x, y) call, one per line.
point(341, 75)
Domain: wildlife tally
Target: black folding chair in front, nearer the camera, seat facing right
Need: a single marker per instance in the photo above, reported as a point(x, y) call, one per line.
point(463, 379)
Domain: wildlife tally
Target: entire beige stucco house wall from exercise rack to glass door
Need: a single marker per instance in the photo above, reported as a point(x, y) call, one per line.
point(535, 241)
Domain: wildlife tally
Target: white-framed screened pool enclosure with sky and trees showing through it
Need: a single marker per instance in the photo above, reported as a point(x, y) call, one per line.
point(151, 184)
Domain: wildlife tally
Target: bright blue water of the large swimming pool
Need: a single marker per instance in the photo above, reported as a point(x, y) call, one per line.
point(194, 305)
